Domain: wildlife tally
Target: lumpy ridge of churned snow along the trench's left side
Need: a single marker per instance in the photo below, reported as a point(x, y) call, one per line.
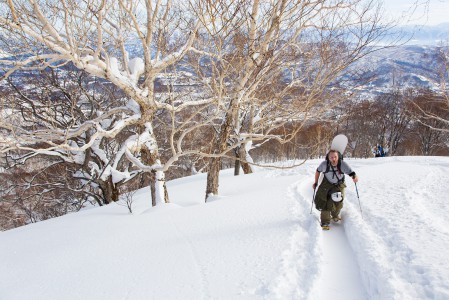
point(298, 269)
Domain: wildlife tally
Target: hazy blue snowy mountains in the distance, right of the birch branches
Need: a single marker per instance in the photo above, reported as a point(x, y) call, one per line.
point(415, 63)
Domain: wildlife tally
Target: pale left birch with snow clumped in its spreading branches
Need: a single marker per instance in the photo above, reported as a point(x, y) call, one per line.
point(95, 36)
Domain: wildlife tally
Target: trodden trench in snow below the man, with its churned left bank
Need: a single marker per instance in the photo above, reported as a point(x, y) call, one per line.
point(322, 268)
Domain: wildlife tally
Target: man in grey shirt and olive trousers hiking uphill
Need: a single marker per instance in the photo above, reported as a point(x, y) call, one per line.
point(330, 194)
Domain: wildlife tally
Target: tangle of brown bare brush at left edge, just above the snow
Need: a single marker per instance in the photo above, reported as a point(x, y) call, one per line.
point(32, 196)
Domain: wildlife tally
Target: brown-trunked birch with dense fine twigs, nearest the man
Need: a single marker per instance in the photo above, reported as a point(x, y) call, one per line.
point(274, 64)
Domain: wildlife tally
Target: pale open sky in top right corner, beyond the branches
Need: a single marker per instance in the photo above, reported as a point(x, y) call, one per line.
point(423, 12)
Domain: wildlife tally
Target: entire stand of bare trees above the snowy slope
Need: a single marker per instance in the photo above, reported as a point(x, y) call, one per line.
point(103, 97)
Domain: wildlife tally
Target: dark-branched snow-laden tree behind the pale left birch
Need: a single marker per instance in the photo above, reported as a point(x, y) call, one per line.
point(52, 101)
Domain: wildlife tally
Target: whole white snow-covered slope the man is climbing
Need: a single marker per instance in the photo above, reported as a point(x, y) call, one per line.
point(257, 240)
